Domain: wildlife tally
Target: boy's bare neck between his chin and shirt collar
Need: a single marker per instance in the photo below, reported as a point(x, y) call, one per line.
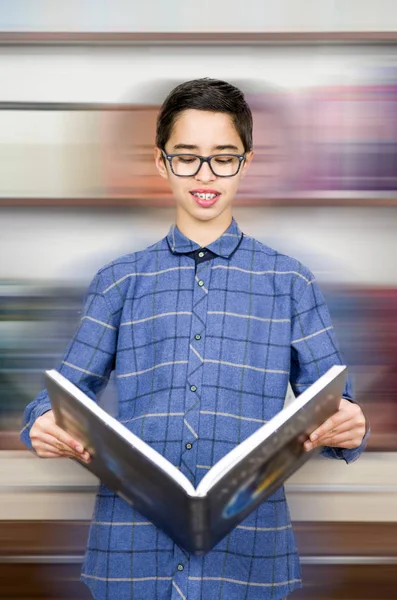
point(203, 232)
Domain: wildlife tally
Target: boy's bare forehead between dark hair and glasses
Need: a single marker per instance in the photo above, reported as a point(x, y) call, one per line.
point(204, 129)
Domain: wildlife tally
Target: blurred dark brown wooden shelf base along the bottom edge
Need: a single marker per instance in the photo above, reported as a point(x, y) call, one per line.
point(37, 576)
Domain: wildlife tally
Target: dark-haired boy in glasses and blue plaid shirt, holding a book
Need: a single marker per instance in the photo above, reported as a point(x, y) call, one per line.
point(203, 329)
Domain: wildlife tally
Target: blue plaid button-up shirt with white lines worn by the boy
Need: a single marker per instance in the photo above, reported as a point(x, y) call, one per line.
point(203, 342)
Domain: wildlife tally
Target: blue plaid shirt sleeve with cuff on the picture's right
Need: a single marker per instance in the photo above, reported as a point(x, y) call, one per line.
point(314, 350)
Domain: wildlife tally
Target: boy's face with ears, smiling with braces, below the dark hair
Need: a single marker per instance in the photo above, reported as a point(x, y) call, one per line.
point(203, 132)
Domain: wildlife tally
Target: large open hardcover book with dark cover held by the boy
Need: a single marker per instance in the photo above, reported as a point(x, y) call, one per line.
point(197, 519)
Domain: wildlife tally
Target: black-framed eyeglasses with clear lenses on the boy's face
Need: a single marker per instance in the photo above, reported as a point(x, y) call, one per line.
point(188, 165)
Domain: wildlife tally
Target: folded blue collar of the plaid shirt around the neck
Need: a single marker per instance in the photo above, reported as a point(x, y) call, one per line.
point(224, 246)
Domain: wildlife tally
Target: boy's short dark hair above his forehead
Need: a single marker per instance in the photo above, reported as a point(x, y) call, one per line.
point(205, 94)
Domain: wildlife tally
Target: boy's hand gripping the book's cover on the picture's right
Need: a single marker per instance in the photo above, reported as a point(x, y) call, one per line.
point(345, 429)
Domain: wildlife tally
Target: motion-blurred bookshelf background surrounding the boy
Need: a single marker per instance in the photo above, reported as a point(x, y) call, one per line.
point(80, 88)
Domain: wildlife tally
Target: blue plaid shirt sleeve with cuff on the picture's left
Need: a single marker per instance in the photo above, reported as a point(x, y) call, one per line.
point(89, 358)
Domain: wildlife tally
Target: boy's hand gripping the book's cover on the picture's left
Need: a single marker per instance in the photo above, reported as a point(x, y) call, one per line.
point(50, 441)
